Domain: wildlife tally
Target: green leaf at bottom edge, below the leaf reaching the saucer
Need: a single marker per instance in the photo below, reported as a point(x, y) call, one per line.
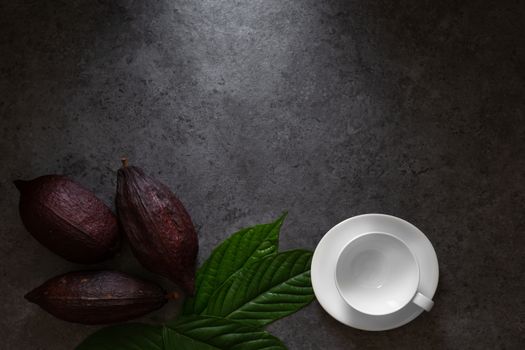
point(212, 333)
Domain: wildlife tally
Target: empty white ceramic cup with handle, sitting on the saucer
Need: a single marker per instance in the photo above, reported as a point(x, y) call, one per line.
point(377, 274)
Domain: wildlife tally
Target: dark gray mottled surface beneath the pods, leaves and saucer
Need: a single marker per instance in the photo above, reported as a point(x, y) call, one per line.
point(326, 109)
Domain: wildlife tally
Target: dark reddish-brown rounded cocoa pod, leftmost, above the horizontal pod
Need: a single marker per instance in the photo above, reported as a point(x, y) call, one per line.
point(68, 219)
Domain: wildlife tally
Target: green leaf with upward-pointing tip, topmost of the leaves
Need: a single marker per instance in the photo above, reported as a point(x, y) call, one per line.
point(240, 250)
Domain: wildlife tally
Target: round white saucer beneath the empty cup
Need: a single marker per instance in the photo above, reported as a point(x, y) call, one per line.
point(325, 259)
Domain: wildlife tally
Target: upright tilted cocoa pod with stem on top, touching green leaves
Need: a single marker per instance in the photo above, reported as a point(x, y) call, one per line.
point(158, 226)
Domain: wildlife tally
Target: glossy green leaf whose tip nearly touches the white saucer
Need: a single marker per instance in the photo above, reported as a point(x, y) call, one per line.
point(266, 290)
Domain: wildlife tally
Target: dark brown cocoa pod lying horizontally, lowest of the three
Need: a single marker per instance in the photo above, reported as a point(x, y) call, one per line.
point(97, 297)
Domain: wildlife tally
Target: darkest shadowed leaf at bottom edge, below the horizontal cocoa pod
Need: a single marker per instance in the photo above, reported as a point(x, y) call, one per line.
point(129, 336)
